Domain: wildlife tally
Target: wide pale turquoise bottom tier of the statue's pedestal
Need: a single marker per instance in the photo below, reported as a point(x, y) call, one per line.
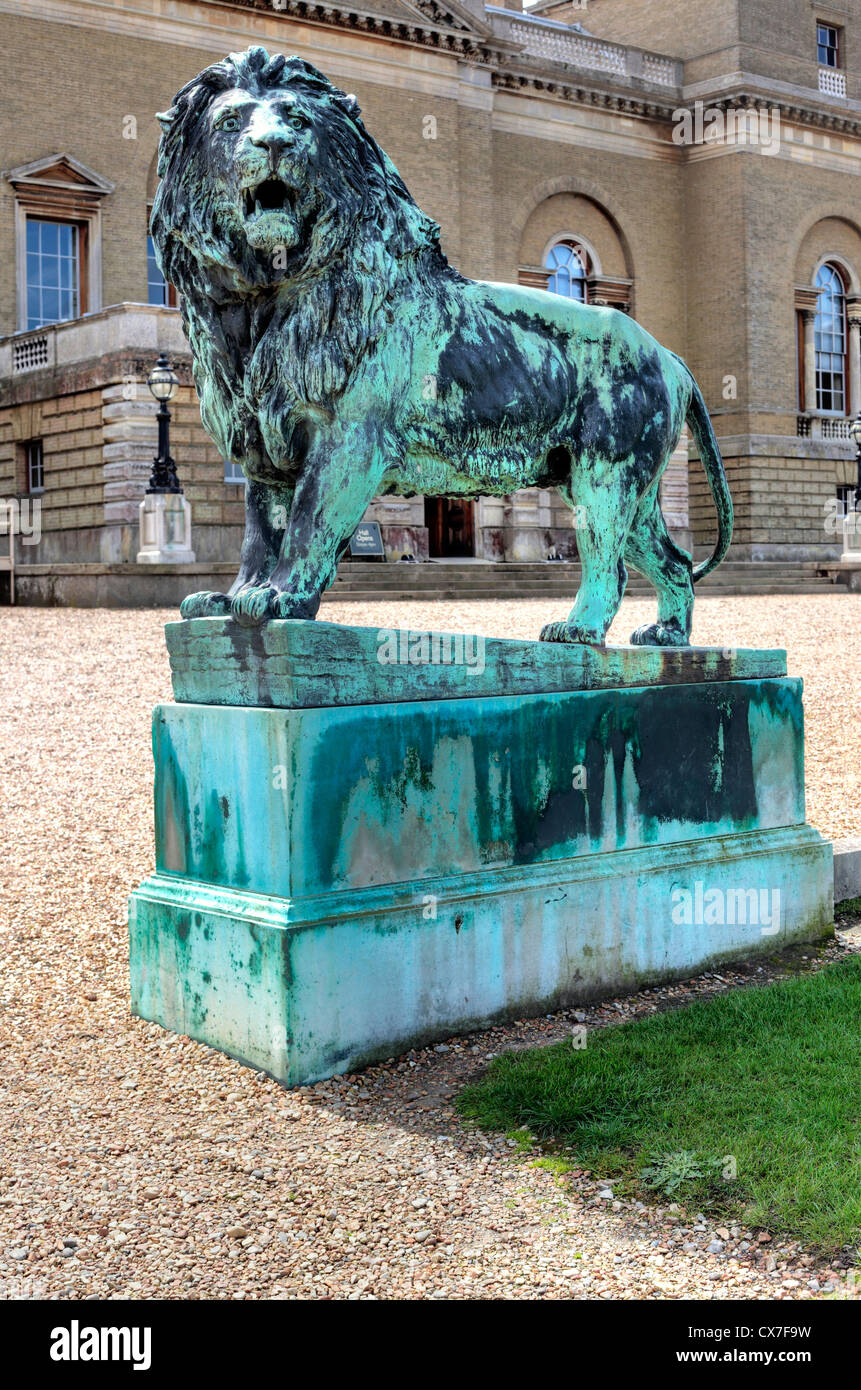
point(308, 990)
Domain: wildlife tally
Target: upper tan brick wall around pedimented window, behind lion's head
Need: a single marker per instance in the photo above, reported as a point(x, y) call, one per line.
point(86, 119)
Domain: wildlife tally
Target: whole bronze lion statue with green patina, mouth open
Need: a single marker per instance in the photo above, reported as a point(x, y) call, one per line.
point(339, 357)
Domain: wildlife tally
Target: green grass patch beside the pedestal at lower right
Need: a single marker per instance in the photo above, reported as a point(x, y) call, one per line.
point(769, 1077)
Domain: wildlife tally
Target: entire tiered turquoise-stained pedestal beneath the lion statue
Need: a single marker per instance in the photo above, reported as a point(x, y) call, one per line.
point(362, 847)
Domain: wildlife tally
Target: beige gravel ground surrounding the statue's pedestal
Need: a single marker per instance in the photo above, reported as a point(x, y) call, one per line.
point(138, 1164)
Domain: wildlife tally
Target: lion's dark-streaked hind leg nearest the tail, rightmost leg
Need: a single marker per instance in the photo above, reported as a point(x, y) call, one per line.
point(656, 555)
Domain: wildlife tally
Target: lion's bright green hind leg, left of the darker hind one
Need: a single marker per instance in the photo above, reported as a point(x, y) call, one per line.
point(602, 536)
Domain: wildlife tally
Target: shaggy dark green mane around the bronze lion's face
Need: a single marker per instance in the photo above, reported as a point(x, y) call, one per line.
point(264, 348)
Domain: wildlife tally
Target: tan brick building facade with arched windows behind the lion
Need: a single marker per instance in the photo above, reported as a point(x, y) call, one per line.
point(691, 162)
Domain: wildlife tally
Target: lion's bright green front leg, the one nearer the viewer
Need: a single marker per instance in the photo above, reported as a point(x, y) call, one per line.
point(330, 500)
